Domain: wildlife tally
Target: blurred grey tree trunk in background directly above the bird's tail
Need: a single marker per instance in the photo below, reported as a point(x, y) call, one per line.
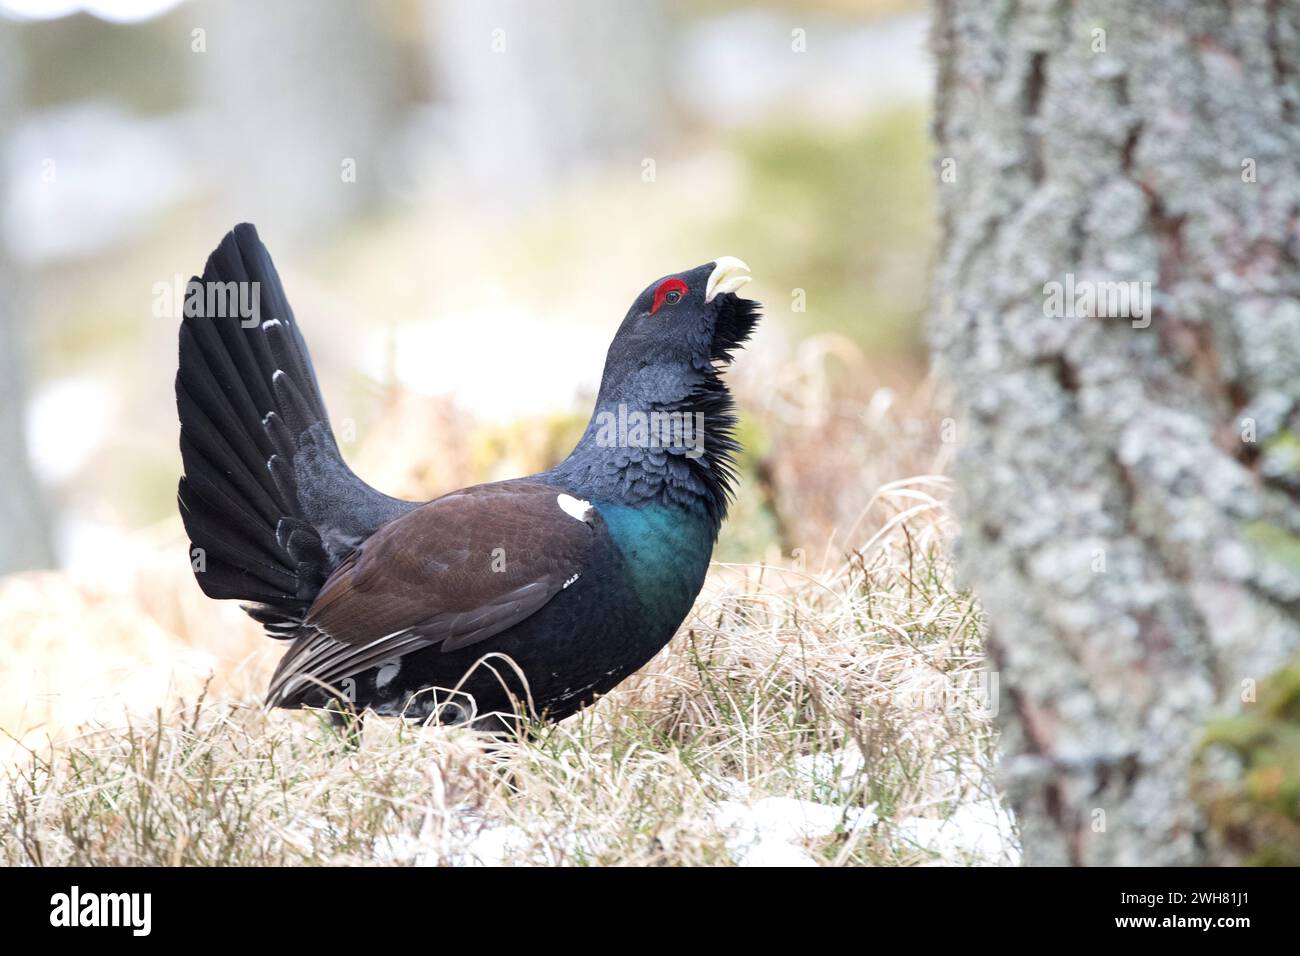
point(304, 103)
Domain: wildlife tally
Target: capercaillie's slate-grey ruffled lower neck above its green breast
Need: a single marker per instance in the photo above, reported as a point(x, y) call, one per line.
point(681, 456)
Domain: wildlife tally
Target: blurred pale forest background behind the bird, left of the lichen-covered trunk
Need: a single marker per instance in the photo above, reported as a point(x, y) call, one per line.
point(462, 200)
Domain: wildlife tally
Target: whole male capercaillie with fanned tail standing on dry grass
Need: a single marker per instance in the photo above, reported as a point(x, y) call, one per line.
point(535, 595)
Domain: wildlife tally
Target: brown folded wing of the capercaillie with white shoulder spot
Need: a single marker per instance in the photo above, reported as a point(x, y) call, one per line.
point(454, 573)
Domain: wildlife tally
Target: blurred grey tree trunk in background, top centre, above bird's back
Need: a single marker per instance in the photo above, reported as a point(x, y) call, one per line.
point(536, 94)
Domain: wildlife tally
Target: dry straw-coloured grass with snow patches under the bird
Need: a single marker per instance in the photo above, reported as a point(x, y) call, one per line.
point(799, 717)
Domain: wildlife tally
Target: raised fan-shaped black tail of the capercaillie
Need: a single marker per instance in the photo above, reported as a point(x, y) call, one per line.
point(267, 500)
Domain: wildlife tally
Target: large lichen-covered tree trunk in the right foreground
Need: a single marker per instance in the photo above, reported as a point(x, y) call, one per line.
point(1129, 478)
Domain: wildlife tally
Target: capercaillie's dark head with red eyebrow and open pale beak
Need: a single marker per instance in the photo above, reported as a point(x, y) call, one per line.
point(677, 335)
